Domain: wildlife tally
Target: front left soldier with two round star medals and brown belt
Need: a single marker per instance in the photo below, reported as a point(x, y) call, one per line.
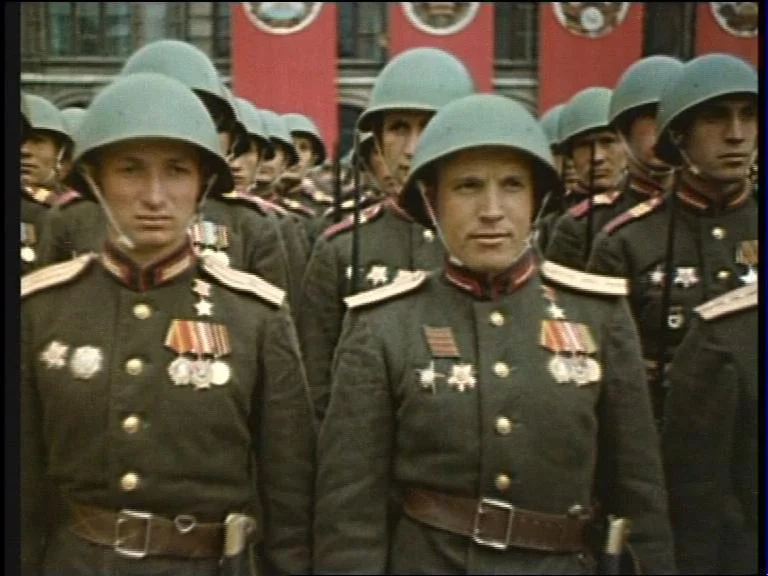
point(162, 393)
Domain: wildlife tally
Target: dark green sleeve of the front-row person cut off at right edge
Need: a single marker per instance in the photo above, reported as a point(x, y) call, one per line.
point(698, 437)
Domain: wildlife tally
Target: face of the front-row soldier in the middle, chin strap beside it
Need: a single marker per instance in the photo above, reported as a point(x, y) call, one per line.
point(485, 199)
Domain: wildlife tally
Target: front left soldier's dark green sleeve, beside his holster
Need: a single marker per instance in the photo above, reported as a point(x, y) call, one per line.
point(286, 450)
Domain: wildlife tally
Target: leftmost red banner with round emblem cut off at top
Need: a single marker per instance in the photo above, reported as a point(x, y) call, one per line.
point(286, 62)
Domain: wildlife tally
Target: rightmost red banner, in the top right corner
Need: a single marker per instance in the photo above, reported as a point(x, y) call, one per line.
point(724, 36)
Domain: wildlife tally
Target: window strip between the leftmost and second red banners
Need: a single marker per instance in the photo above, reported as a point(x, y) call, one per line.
point(362, 28)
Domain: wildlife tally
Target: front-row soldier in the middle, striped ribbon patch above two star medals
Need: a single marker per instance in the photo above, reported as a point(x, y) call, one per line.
point(495, 401)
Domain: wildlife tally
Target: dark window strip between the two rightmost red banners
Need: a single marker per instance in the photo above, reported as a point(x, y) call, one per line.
point(669, 29)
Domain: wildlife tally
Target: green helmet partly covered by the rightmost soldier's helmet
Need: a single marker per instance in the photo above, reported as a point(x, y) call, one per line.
point(641, 85)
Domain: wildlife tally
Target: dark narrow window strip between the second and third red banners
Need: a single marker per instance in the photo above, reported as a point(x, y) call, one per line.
point(517, 32)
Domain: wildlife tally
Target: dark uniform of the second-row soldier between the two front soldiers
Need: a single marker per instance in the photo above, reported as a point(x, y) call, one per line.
point(390, 241)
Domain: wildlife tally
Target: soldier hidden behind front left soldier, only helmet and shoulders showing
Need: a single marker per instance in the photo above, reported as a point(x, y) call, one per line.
point(227, 228)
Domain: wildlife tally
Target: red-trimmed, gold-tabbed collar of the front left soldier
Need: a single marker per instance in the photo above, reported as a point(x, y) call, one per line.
point(133, 276)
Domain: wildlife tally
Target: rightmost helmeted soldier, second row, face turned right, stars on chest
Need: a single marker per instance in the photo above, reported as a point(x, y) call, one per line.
point(688, 247)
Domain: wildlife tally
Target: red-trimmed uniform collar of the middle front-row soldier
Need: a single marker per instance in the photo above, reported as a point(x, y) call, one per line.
point(486, 286)
